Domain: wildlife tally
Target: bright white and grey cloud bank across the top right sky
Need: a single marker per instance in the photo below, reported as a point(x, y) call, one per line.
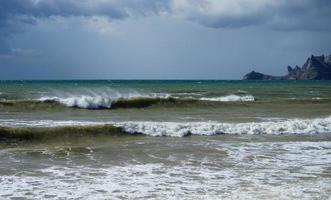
point(280, 14)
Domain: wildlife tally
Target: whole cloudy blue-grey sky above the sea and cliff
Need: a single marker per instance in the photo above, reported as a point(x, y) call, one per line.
point(159, 39)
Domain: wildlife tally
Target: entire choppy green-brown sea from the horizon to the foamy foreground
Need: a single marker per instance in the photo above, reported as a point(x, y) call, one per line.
point(165, 139)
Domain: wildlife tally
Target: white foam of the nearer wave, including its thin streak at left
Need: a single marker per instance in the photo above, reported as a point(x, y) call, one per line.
point(180, 129)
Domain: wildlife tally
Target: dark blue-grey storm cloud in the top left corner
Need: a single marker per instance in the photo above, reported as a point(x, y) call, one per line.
point(15, 14)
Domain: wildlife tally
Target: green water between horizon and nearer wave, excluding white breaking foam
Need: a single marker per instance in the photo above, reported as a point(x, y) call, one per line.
point(282, 99)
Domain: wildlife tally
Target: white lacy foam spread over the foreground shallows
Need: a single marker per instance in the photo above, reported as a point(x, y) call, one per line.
point(272, 170)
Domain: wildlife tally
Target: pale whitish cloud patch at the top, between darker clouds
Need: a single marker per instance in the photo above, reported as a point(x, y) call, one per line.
point(222, 13)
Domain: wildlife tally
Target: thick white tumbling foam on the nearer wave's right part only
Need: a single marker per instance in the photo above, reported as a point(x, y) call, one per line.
point(290, 126)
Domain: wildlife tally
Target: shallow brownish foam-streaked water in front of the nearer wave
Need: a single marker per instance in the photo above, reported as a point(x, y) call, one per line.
point(243, 167)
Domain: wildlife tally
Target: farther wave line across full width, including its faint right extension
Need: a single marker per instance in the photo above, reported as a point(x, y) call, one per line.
point(144, 100)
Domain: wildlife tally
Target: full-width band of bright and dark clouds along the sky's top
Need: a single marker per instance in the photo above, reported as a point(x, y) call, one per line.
point(280, 14)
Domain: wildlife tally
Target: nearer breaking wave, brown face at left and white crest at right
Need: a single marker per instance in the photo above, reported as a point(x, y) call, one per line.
point(43, 128)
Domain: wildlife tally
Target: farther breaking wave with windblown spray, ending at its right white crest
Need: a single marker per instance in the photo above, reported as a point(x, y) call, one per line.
point(124, 101)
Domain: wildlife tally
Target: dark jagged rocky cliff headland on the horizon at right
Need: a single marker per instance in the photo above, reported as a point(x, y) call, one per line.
point(315, 68)
